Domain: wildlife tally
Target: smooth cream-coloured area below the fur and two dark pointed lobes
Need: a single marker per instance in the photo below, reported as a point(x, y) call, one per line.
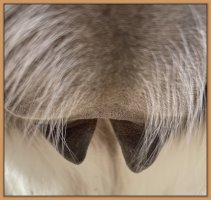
point(180, 169)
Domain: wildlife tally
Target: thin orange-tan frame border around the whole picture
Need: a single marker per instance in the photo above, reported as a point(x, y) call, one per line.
point(2, 2)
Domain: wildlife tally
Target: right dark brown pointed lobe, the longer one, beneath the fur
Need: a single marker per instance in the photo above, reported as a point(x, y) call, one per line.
point(131, 137)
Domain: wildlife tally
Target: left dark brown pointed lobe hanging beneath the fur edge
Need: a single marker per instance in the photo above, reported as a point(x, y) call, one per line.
point(78, 136)
